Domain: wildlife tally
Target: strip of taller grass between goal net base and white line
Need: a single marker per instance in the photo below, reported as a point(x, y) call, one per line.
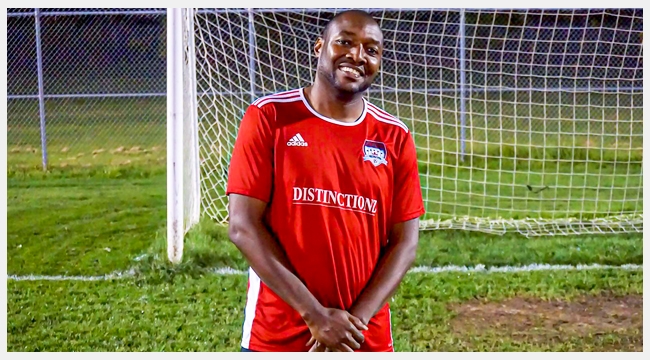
point(207, 246)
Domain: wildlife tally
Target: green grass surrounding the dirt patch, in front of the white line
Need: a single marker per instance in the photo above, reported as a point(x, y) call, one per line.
point(422, 308)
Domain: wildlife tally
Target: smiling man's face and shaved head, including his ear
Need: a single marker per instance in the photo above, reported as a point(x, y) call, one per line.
point(349, 57)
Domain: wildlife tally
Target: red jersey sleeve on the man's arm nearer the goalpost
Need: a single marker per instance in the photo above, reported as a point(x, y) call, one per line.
point(251, 165)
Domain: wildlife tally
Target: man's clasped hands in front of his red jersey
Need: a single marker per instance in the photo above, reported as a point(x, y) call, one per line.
point(336, 329)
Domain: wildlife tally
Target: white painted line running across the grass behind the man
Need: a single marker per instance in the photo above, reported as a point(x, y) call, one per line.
point(480, 268)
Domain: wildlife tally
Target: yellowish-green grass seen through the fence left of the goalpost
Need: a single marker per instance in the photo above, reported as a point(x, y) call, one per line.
point(87, 132)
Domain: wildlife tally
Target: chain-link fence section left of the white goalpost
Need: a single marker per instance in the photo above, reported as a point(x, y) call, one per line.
point(99, 76)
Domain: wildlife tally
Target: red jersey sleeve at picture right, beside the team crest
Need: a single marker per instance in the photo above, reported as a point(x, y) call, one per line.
point(407, 196)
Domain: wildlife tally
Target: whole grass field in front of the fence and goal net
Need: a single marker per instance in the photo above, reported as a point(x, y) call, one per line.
point(94, 223)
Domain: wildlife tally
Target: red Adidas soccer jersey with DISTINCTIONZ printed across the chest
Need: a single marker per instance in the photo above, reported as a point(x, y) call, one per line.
point(334, 191)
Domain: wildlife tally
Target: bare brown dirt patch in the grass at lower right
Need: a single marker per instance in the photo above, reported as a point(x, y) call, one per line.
point(537, 320)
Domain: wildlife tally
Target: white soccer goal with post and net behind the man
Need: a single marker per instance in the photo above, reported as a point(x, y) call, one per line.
point(524, 120)
